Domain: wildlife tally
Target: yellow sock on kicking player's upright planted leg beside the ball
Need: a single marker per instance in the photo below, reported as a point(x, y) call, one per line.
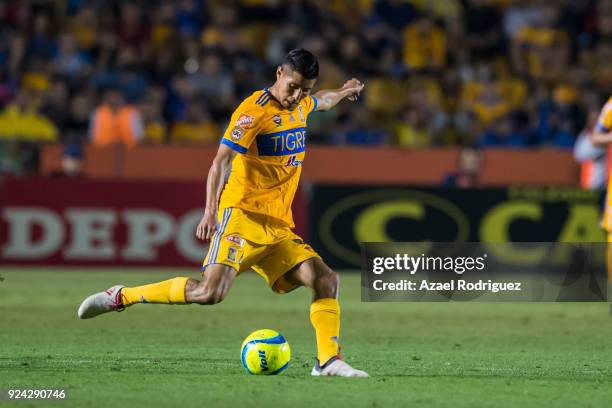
point(325, 318)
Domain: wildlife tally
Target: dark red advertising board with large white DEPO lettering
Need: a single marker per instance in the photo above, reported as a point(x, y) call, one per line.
point(94, 222)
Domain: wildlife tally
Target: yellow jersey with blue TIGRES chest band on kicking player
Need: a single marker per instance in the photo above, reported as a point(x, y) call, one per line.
point(271, 145)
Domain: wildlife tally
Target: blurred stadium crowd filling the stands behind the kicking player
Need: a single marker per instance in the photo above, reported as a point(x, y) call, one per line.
point(477, 73)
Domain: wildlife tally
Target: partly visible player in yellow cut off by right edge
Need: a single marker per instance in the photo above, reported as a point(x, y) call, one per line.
point(602, 135)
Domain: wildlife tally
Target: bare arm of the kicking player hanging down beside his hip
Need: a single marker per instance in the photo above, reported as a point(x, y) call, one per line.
point(214, 186)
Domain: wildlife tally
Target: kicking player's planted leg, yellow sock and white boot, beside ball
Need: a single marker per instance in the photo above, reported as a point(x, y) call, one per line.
point(324, 315)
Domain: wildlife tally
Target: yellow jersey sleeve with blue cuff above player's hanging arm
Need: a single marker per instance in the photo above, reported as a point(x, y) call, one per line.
point(244, 125)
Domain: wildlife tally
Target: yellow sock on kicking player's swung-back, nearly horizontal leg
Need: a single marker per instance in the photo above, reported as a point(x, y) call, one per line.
point(171, 291)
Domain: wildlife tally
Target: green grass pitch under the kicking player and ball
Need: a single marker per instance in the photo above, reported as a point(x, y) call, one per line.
point(418, 354)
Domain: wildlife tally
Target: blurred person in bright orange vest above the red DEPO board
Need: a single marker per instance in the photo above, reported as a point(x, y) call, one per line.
point(115, 122)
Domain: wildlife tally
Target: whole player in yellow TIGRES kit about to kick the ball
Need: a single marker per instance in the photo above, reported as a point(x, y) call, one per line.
point(248, 219)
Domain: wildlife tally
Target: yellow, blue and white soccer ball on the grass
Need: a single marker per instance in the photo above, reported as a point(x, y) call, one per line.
point(265, 352)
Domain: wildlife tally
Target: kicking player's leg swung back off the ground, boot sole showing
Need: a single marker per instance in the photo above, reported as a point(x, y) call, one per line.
point(177, 291)
